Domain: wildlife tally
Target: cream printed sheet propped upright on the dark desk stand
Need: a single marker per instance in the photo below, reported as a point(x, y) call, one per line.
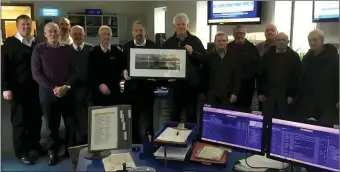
point(104, 129)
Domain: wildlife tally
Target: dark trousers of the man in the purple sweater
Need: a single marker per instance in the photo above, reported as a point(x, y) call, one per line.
point(53, 111)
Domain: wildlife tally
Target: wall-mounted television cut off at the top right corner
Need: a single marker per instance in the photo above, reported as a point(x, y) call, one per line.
point(325, 11)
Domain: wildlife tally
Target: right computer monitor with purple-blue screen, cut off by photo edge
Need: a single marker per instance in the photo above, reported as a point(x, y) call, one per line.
point(305, 144)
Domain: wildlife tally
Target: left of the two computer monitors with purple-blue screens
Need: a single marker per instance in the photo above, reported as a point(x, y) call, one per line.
point(230, 128)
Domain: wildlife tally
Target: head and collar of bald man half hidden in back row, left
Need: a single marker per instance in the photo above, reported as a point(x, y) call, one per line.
point(65, 28)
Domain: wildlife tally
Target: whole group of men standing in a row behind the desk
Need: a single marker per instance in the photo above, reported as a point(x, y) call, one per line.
point(64, 75)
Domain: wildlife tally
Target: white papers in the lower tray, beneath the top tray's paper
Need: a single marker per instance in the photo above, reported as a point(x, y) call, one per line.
point(172, 153)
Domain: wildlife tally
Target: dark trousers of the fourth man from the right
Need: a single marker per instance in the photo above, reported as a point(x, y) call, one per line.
point(245, 97)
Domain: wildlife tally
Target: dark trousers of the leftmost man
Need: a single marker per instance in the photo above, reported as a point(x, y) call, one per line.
point(26, 121)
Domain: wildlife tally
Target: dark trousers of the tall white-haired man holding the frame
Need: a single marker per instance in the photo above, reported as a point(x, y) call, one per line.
point(184, 97)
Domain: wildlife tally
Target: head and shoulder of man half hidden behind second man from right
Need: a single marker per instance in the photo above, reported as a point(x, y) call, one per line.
point(270, 33)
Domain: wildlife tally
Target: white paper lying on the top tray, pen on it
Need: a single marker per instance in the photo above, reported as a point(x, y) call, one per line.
point(174, 135)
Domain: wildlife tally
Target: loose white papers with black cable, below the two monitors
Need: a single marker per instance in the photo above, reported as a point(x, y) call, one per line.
point(258, 162)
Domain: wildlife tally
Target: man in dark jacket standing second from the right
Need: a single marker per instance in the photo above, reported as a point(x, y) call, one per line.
point(280, 78)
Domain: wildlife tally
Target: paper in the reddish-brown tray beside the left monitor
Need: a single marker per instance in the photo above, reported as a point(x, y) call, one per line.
point(210, 153)
